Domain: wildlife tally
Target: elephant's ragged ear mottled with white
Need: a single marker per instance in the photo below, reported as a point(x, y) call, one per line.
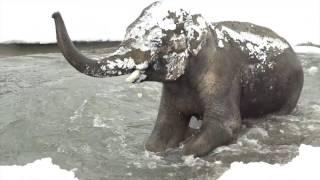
point(186, 39)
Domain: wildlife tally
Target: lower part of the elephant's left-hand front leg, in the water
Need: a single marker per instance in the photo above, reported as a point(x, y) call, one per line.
point(169, 130)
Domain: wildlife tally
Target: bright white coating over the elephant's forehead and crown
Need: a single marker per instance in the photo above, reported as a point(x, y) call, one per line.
point(155, 21)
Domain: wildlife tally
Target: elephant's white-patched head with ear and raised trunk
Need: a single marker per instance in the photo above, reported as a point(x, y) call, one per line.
point(156, 46)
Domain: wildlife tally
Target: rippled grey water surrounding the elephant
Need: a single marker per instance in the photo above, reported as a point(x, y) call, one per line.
point(97, 127)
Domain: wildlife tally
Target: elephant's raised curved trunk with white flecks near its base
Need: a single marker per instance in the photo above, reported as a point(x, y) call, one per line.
point(114, 65)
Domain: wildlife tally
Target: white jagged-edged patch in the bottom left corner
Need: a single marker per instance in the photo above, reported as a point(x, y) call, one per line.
point(42, 169)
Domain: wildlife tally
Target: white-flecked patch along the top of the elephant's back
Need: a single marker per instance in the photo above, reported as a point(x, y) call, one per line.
point(256, 42)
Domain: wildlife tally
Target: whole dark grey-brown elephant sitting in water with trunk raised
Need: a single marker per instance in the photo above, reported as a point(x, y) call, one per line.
point(220, 73)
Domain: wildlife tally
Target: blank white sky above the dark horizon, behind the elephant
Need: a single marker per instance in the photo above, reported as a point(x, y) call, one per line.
point(30, 21)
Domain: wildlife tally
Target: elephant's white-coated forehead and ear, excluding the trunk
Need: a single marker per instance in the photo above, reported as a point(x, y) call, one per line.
point(164, 36)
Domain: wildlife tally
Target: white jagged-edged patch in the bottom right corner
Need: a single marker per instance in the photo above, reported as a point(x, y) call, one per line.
point(304, 166)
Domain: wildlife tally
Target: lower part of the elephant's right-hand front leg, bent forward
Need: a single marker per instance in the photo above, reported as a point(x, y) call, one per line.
point(217, 129)
